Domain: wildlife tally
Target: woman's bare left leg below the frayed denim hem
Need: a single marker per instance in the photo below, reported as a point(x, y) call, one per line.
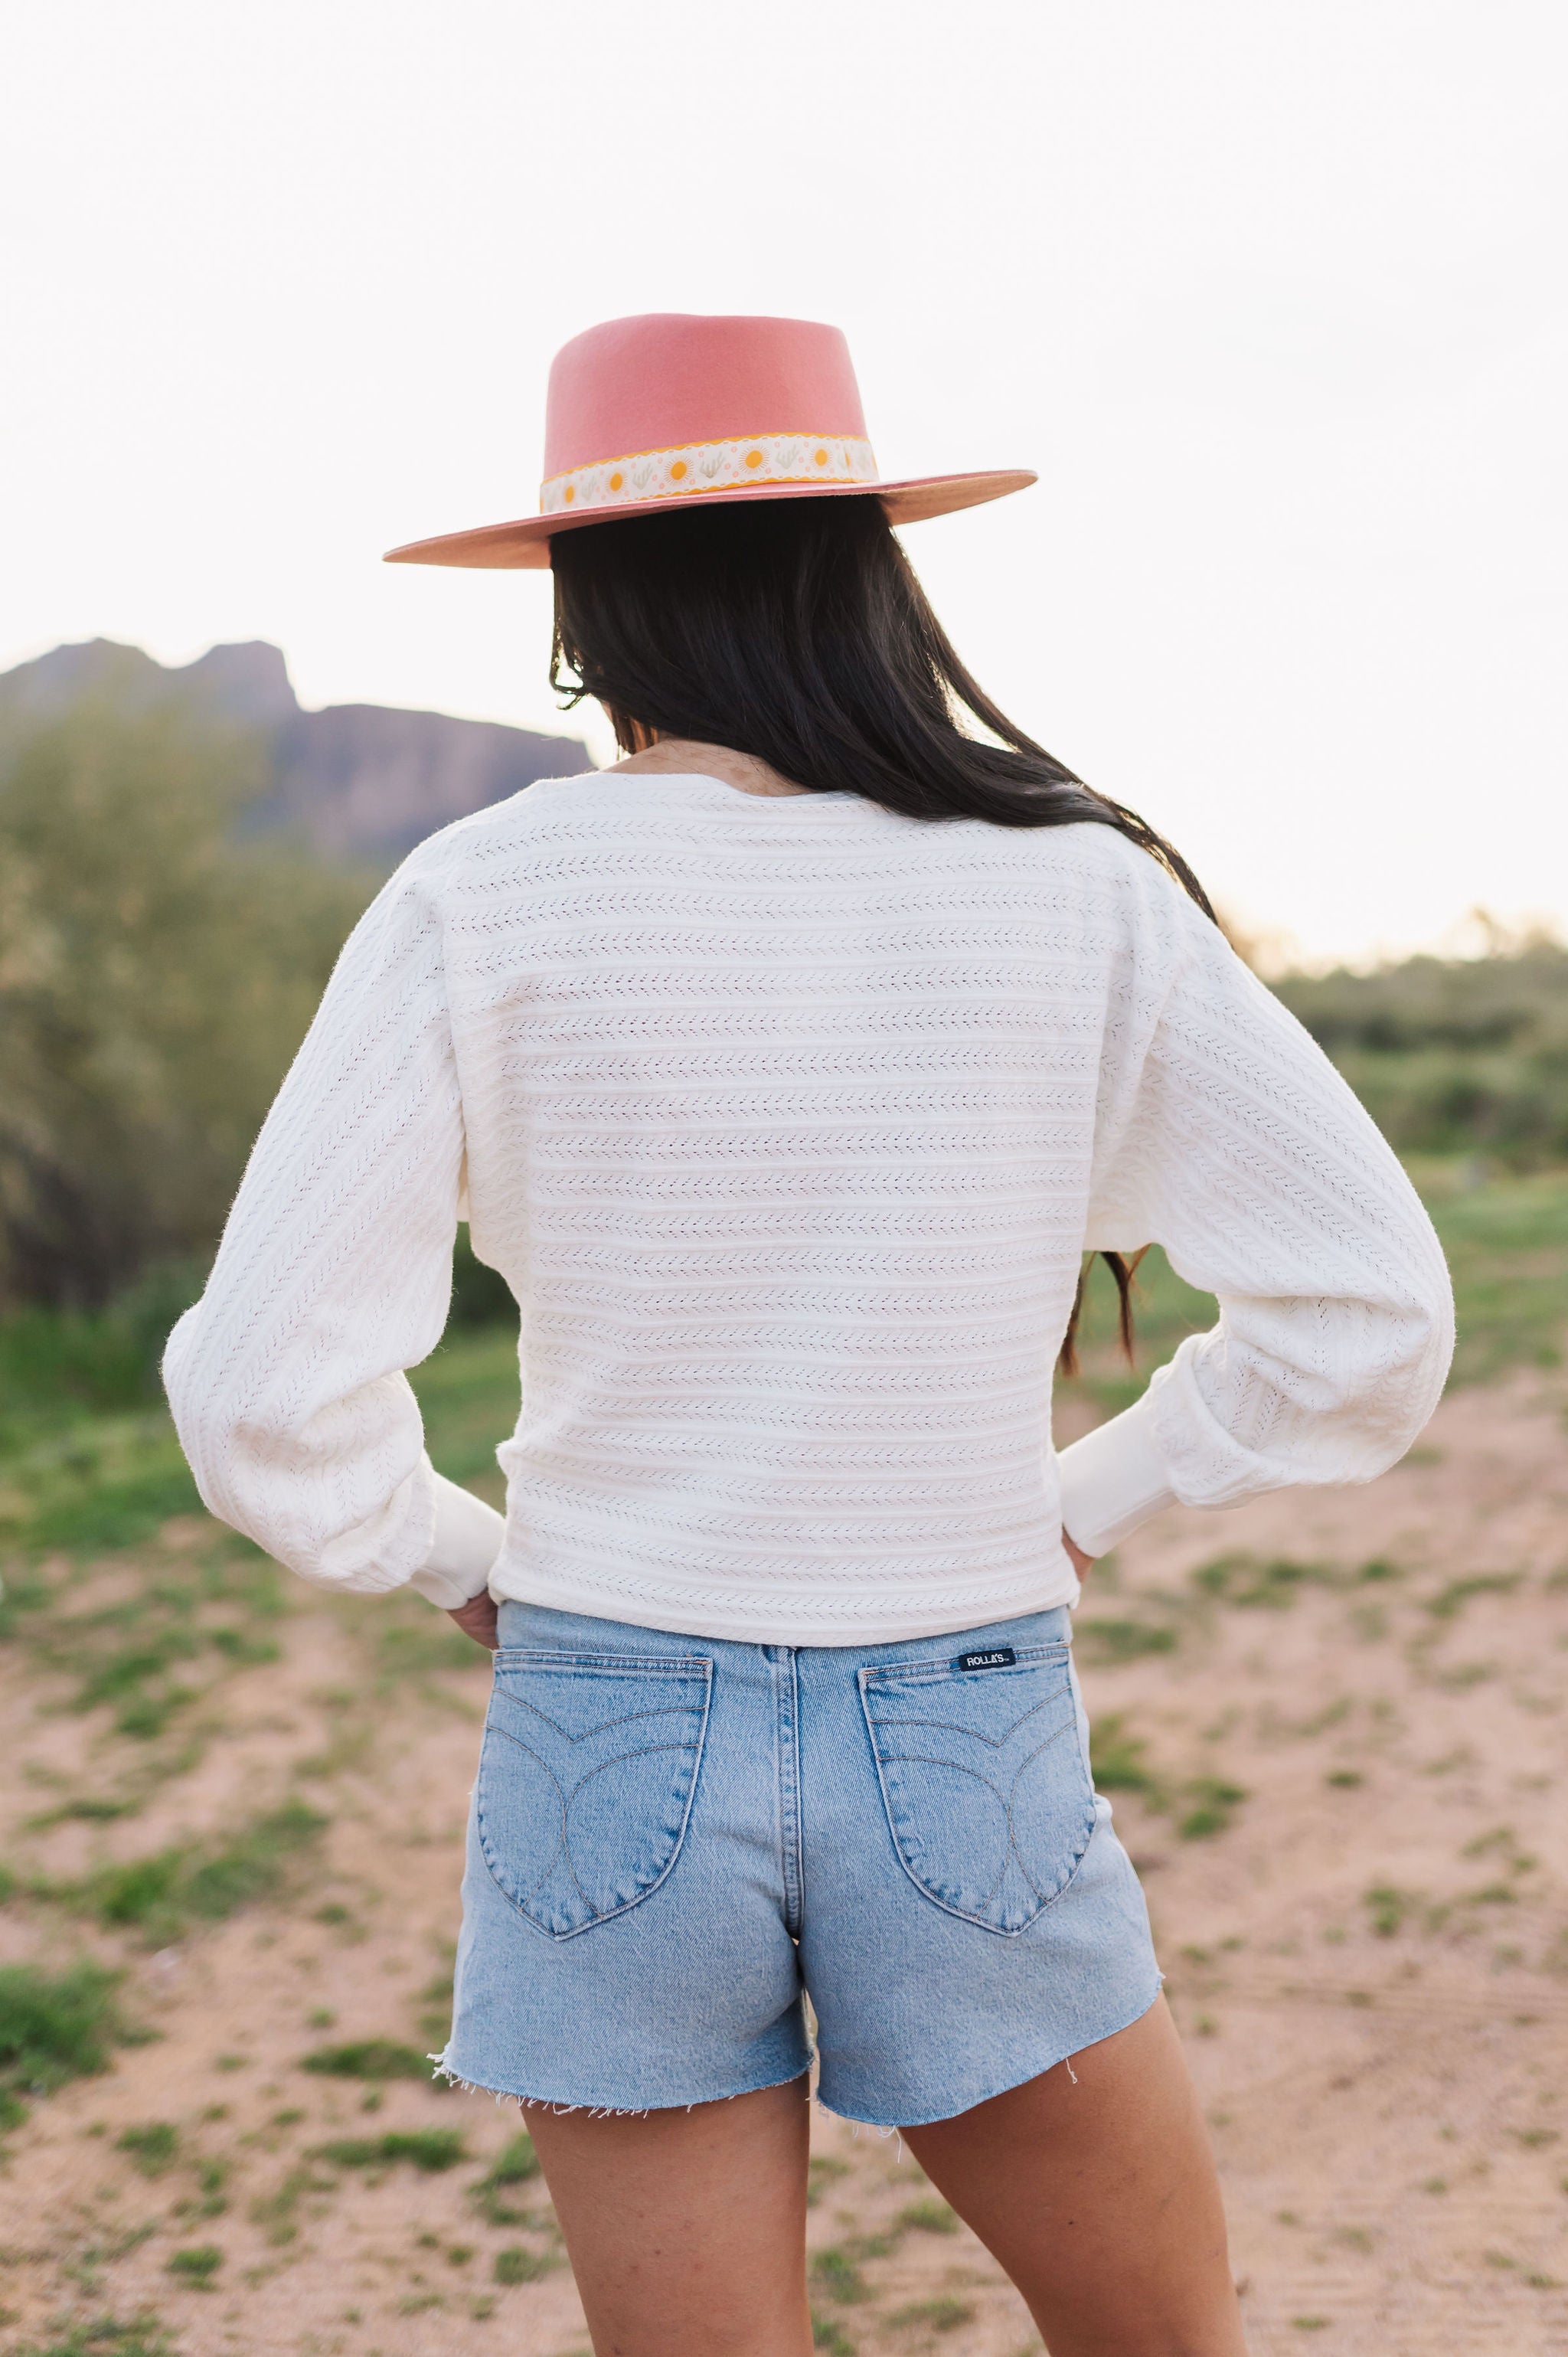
point(687, 2231)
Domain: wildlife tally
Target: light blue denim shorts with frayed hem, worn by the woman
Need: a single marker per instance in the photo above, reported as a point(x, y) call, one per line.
point(678, 1840)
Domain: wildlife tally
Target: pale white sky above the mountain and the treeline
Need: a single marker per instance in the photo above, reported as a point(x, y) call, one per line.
point(1270, 291)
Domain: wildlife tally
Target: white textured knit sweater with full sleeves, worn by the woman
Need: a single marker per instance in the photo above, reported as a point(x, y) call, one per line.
point(789, 1123)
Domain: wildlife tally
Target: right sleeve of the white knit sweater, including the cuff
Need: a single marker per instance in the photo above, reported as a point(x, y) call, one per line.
point(1227, 1137)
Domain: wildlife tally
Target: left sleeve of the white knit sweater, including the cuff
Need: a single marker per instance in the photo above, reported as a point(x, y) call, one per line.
point(334, 1276)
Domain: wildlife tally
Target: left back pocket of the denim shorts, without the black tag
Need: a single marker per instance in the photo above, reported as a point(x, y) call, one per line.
point(586, 1781)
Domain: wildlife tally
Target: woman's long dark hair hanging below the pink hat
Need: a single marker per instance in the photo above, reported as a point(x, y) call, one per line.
point(798, 633)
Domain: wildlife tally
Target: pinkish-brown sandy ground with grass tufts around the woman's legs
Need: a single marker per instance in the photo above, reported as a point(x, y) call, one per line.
point(1366, 1950)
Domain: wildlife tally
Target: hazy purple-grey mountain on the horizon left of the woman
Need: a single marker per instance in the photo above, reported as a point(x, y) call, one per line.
point(357, 781)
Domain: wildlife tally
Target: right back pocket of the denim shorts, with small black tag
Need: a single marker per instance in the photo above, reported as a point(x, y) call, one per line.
point(984, 1781)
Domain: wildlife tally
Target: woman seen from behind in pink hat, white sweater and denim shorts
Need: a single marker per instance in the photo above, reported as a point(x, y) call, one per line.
point(789, 1071)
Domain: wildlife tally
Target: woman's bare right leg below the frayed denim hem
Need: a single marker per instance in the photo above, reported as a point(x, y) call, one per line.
point(1100, 2198)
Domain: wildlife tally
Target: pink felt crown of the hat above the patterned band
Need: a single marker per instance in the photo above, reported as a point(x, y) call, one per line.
point(673, 378)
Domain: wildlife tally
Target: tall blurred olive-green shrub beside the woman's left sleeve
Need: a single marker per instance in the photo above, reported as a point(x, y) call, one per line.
point(157, 975)
